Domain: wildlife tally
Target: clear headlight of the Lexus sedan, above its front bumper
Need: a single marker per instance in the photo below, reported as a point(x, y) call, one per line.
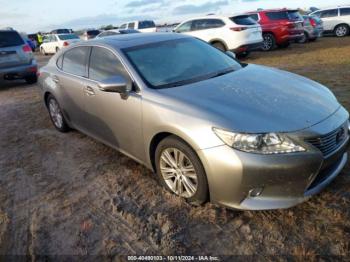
point(270, 143)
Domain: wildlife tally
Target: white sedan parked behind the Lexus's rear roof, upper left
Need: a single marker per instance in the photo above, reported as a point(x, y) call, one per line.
point(54, 42)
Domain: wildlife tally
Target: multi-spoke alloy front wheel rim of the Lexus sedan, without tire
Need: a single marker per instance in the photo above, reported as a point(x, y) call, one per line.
point(178, 172)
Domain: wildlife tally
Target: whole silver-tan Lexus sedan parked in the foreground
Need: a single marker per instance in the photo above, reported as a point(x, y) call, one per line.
point(240, 135)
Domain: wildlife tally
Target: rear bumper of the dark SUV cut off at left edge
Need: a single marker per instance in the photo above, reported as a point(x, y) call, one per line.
point(19, 72)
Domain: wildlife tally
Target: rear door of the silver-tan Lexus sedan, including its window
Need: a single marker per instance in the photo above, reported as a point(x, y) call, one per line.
point(71, 80)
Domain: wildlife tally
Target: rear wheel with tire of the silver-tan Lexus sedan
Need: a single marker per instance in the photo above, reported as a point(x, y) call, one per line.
point(56, 115)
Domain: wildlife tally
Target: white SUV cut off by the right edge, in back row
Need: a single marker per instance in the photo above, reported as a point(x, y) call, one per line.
point(335, 20)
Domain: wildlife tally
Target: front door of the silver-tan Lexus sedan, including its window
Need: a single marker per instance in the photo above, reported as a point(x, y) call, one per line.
point(114, 119)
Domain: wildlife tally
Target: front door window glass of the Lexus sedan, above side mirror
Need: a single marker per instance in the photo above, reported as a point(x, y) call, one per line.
point(104, 65)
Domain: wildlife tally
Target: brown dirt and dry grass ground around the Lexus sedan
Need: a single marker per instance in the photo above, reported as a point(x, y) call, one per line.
point(66, 194)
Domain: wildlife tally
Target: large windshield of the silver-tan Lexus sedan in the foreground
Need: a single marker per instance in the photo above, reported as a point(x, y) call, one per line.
point(179, 62)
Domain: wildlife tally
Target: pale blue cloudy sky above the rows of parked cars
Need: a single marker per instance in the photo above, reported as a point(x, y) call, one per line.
point(43, 15)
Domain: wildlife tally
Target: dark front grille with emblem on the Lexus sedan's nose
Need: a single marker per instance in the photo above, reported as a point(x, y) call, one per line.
point(330, 142)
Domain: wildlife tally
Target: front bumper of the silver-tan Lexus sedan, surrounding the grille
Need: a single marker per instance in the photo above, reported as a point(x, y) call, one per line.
point(284, 180)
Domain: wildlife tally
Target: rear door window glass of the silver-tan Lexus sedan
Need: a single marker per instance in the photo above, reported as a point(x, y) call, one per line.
point(75, 60)
